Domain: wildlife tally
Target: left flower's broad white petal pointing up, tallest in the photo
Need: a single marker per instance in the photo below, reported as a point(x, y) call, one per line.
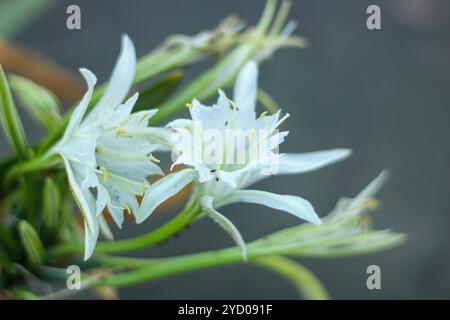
point(121, 79)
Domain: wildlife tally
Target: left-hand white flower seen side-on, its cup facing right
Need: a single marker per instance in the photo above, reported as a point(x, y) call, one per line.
point(108, 153)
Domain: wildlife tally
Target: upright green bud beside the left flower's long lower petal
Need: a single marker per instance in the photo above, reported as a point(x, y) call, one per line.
point(51, 205)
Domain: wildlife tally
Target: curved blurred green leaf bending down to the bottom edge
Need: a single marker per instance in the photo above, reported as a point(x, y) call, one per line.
point(308, 285)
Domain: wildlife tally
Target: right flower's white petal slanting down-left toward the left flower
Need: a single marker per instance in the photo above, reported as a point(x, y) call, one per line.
point(162, 190)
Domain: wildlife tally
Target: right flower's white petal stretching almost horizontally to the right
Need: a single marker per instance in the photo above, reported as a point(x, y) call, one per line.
point(305, 162)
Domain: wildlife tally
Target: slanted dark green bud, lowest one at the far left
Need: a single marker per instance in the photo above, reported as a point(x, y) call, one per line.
point(31, 243)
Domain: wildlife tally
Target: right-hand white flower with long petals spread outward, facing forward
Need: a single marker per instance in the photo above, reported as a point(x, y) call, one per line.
point(221, 182)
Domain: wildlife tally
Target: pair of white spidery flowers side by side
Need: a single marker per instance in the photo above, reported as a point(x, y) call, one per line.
point(108, 154)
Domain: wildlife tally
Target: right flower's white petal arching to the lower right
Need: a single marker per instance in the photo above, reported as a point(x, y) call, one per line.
point(295, 205)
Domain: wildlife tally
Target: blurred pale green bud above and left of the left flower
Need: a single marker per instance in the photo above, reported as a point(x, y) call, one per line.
point(40, 102)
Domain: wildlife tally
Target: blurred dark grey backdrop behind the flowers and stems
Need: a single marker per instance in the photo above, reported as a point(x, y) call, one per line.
point(385, 94)
